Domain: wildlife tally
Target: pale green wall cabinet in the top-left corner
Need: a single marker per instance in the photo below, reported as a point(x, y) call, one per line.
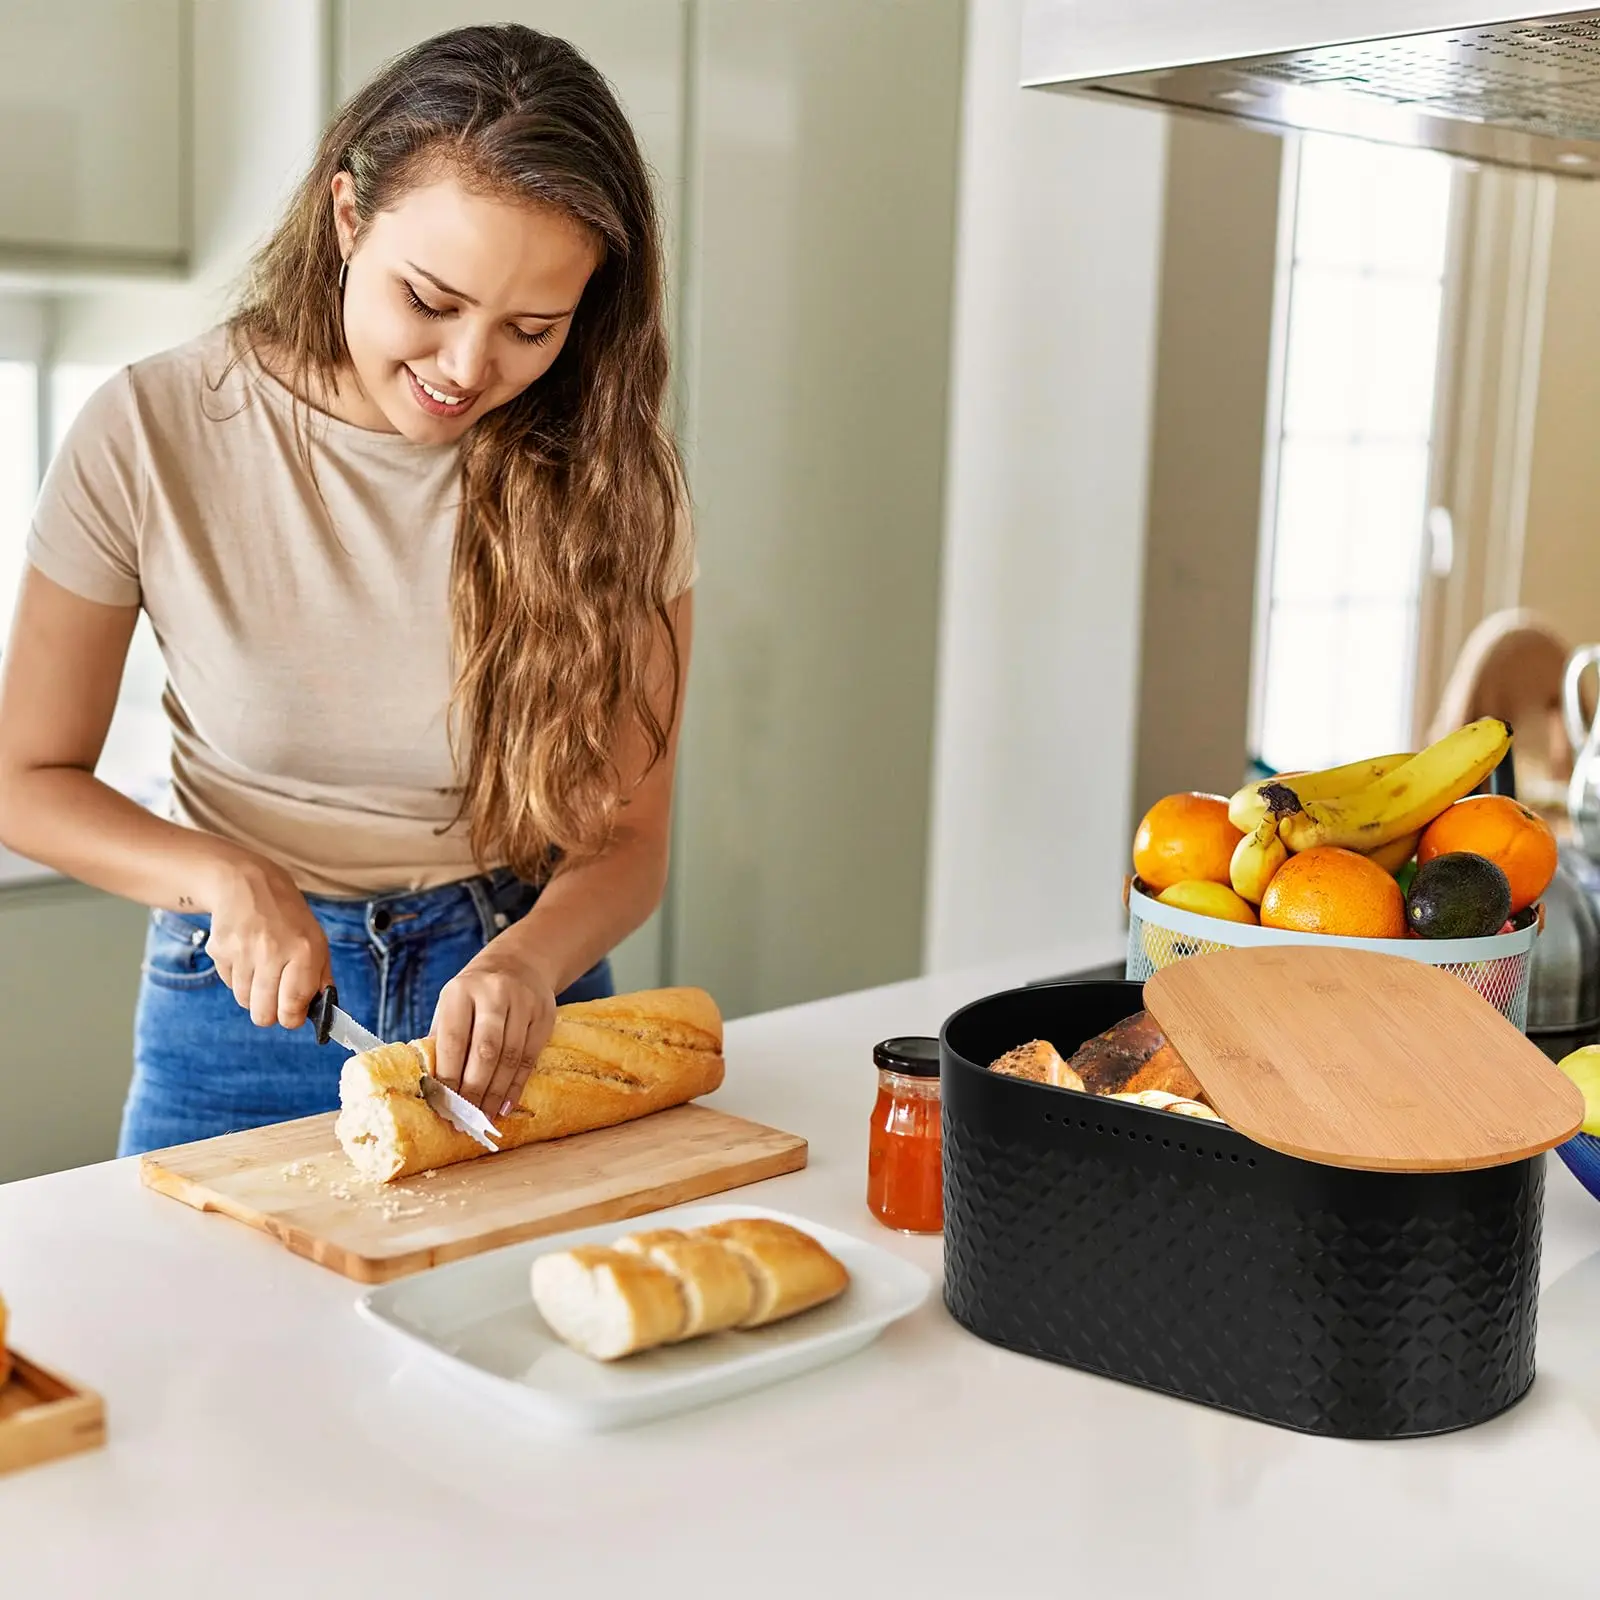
point(95, 106)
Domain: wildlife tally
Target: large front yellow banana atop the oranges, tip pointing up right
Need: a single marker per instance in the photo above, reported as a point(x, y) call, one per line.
point(1402, 802)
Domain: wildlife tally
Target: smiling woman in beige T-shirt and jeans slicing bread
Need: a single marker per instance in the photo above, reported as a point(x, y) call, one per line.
point(410, 532)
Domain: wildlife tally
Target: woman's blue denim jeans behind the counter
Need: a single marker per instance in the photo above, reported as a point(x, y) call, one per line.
point(202, 1068)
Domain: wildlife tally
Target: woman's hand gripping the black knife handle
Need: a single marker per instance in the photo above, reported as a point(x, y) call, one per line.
point(266, 943)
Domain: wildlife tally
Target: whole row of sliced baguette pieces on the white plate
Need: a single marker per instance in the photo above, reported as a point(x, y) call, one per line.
point(609, 1303)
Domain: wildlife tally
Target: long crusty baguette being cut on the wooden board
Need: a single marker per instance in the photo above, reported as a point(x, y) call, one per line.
point(607, 1062)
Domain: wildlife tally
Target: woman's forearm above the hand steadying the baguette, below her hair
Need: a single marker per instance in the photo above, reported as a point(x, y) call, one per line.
point(588, 910)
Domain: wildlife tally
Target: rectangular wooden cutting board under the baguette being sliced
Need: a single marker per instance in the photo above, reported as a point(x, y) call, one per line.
point(294, 1182)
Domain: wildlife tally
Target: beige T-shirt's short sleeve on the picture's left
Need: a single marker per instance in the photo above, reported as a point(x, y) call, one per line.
point(86, 530)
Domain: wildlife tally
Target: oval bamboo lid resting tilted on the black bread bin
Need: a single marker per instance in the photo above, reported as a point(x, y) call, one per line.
point(1359, 1060)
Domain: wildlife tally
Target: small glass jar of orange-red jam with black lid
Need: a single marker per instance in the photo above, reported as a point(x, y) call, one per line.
point(905, 1156)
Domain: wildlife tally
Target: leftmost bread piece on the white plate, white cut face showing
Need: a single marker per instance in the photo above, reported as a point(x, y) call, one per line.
point(607, 1303)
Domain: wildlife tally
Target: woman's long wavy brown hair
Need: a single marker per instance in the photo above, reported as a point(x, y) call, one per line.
point(572, 490)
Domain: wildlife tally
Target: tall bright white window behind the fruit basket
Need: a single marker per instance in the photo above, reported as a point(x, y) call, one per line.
point(1361, 292)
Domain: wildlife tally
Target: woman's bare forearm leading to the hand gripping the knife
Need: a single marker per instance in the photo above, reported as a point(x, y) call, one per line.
point(66, 818)
